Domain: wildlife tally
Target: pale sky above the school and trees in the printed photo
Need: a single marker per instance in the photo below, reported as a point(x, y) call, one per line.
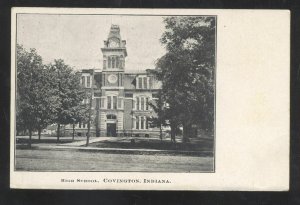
point(78, 39)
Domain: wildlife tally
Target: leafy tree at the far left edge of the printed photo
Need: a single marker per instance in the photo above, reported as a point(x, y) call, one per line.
point(34, 92)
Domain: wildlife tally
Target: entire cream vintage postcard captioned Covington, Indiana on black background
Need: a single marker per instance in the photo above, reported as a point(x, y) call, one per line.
point(150, 99)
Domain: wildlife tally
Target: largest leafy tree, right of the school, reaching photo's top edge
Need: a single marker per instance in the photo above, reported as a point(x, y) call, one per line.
point(187, 70)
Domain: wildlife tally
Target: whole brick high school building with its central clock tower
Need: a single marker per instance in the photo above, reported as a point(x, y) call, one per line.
point(120, 98)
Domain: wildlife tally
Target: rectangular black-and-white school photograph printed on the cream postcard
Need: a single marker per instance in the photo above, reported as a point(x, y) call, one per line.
point(115, 93)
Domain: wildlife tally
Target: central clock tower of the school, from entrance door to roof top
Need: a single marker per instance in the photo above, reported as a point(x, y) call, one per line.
point(112, 98)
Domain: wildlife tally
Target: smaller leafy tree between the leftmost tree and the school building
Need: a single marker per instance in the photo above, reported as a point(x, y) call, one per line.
point(69, 93)
